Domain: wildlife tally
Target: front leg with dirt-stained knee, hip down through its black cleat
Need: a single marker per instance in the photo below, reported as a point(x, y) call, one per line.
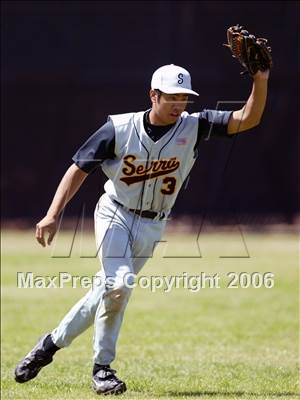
point(121, 254)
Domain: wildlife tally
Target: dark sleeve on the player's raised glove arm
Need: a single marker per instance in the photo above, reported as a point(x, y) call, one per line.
point(213, 123)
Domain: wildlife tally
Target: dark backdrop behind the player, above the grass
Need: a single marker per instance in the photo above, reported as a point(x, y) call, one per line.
point(66, 65)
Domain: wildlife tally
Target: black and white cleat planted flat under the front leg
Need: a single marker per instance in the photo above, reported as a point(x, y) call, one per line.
point(106, 382)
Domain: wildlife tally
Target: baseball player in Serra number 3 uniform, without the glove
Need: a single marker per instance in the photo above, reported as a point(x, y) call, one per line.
point(146, 157)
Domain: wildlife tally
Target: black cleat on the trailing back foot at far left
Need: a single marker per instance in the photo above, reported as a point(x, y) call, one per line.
point(35, 360)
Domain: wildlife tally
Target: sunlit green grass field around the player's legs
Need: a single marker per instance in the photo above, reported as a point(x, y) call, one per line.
point(217, 343)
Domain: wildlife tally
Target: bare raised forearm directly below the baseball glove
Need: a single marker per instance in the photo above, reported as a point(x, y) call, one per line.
point(250, 115)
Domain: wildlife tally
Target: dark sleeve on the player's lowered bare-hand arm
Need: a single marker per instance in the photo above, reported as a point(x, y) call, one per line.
point(99, 147)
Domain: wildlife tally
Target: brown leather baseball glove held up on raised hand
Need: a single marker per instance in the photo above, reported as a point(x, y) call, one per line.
point(253, 53)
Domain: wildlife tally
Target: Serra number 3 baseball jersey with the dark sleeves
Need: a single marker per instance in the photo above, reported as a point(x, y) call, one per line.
point(145, 173)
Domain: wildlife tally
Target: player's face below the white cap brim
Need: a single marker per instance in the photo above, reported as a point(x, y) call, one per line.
point(167, 108)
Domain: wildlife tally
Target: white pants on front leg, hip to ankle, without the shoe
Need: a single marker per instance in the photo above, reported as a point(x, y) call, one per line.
point(127, 245)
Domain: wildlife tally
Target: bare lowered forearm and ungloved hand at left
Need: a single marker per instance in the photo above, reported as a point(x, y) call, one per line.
point(69, 185)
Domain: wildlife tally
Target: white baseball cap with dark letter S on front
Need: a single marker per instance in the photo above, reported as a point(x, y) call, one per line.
point(172, 79)
